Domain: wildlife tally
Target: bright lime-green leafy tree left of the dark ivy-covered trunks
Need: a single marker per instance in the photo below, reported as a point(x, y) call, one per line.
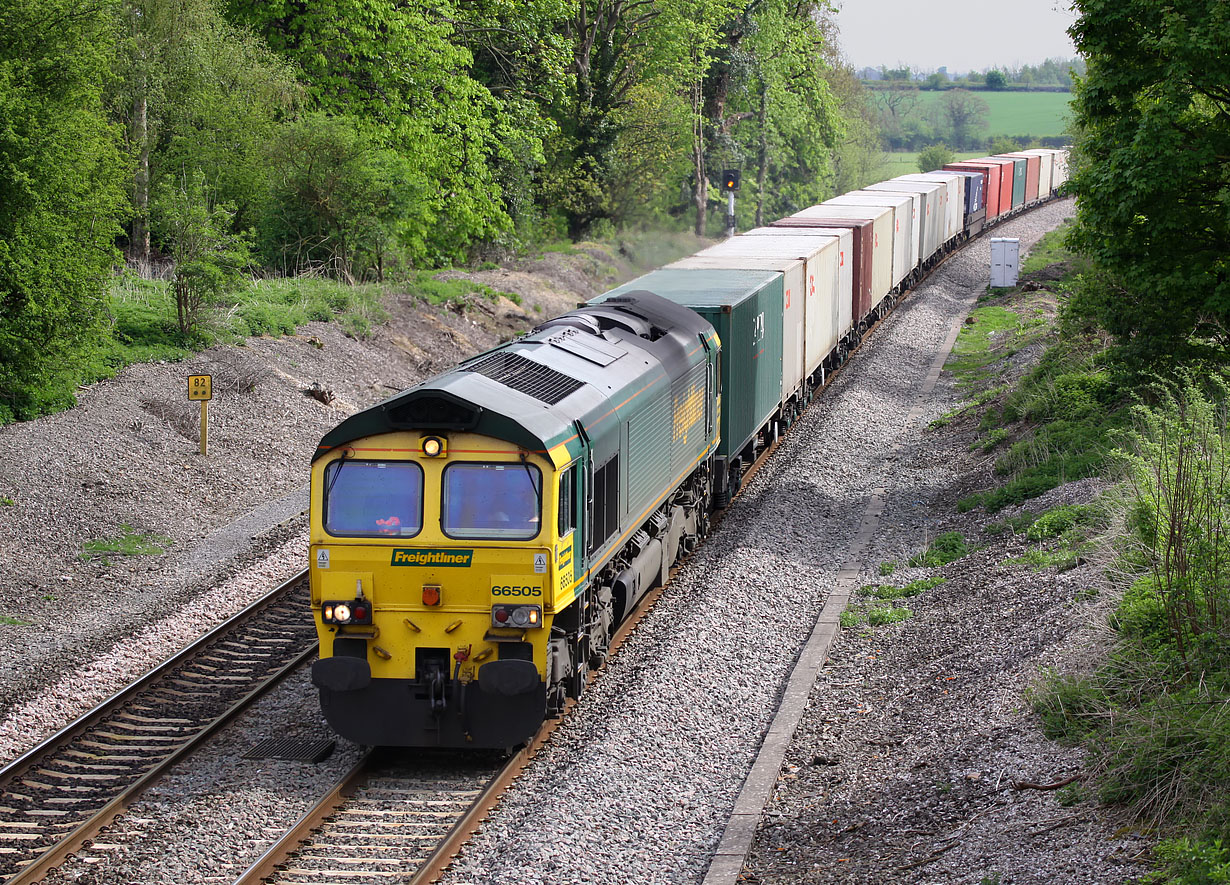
point(404, 73)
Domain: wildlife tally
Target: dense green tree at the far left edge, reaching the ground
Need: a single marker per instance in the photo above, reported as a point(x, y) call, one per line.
point(61, 199)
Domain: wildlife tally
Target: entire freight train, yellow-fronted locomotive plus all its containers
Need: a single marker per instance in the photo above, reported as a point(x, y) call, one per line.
point(478, 539)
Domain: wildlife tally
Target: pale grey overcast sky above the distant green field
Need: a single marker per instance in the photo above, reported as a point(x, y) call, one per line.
point(929, 34)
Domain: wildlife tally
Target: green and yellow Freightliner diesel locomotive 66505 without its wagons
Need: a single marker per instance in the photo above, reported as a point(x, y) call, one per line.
point(477, 539)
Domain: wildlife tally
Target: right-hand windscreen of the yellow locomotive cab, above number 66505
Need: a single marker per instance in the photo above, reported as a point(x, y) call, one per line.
point(493, 501)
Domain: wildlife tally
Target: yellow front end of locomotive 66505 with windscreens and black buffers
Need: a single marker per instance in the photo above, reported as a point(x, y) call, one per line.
point(438, 565)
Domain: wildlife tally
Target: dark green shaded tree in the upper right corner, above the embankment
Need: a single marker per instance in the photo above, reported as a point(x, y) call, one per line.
point(1153, 174)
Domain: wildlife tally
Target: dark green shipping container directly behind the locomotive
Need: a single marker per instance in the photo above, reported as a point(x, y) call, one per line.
point(746, 308)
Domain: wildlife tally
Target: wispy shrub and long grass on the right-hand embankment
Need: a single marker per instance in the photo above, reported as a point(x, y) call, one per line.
point(1157, 715)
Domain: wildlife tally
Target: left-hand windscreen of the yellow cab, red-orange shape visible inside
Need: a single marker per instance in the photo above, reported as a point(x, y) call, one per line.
point(373, 498)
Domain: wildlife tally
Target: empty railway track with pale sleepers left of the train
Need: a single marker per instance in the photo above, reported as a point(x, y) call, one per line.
point(61, 793)
